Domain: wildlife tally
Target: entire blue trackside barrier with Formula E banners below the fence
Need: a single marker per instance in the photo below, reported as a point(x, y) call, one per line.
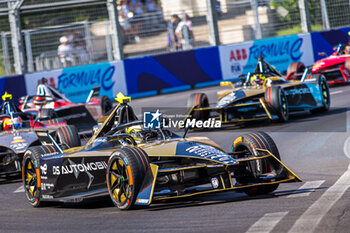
point(166, 73)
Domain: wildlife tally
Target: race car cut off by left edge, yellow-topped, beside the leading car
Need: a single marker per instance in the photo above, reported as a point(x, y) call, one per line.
point(17, 135)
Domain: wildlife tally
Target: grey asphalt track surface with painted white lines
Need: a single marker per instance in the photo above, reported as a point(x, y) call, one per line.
point(315, 147)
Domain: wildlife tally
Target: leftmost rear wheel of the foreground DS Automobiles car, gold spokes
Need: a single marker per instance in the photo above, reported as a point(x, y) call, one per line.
point(31, 175)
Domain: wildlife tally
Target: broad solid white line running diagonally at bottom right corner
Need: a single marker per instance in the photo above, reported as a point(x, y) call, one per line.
point(309, 220)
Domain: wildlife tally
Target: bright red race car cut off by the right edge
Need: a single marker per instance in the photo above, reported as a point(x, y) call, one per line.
point(336, 68)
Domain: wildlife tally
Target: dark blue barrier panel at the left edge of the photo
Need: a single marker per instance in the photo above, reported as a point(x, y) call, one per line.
point(14, 85)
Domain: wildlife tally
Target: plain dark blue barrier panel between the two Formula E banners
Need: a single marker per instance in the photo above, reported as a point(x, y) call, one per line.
point(172, 70)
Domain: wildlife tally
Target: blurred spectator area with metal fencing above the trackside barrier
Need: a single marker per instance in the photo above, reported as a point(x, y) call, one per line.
point(146, 27)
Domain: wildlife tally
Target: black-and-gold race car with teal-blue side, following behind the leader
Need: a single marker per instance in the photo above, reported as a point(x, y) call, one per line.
point(264, 95)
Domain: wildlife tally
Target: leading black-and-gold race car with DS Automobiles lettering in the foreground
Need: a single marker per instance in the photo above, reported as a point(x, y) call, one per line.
point(140, 166)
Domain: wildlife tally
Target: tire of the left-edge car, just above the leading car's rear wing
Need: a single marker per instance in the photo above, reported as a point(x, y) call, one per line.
point(68, 136)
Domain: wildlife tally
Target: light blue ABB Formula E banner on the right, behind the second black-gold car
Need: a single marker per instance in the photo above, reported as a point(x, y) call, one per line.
point(241, 58)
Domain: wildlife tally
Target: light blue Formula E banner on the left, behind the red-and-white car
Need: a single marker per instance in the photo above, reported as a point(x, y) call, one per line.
point(76, 82)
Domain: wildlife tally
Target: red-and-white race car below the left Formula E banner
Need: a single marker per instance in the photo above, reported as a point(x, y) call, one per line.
point(51, 103)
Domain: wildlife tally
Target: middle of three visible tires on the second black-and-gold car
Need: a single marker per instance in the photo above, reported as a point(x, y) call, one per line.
point(277, 102)
